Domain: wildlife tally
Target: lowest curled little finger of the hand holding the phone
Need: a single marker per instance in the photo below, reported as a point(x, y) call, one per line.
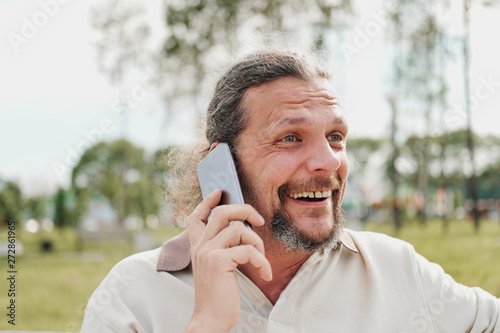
point(244, 254)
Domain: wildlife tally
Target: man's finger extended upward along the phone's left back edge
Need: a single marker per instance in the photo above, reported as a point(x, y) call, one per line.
point(196, 222)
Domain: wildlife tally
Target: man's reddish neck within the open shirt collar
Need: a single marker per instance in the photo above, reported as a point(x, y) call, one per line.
point(285, 264)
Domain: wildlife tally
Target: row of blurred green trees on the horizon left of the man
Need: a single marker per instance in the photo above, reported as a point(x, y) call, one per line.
point(117, 171)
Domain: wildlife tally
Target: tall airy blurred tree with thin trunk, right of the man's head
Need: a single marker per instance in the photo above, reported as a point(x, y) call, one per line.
point(420, 77)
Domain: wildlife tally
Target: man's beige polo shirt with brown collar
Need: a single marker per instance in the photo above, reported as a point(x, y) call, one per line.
point(372, 283)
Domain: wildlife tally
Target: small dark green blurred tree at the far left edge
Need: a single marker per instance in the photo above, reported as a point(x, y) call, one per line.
point(11, 203)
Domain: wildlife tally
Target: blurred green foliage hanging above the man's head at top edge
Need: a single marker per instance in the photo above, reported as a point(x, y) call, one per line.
point(212, 23)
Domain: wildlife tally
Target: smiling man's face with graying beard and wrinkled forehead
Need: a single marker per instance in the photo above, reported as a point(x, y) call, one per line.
point(294, 148)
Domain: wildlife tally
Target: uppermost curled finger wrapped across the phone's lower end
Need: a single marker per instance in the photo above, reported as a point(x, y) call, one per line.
point(222, 215)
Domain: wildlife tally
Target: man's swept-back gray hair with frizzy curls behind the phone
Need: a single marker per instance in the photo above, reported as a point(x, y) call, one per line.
point(227, 117)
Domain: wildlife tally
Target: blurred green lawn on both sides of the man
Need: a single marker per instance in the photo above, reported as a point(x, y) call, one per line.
point(53, 288)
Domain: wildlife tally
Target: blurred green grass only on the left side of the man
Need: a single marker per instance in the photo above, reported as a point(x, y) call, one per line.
point(52, 289)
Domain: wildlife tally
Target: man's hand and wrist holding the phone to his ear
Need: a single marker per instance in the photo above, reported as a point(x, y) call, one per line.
point(217, 248)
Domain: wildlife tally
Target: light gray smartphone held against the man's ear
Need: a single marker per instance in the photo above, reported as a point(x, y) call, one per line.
point(218, 171)
